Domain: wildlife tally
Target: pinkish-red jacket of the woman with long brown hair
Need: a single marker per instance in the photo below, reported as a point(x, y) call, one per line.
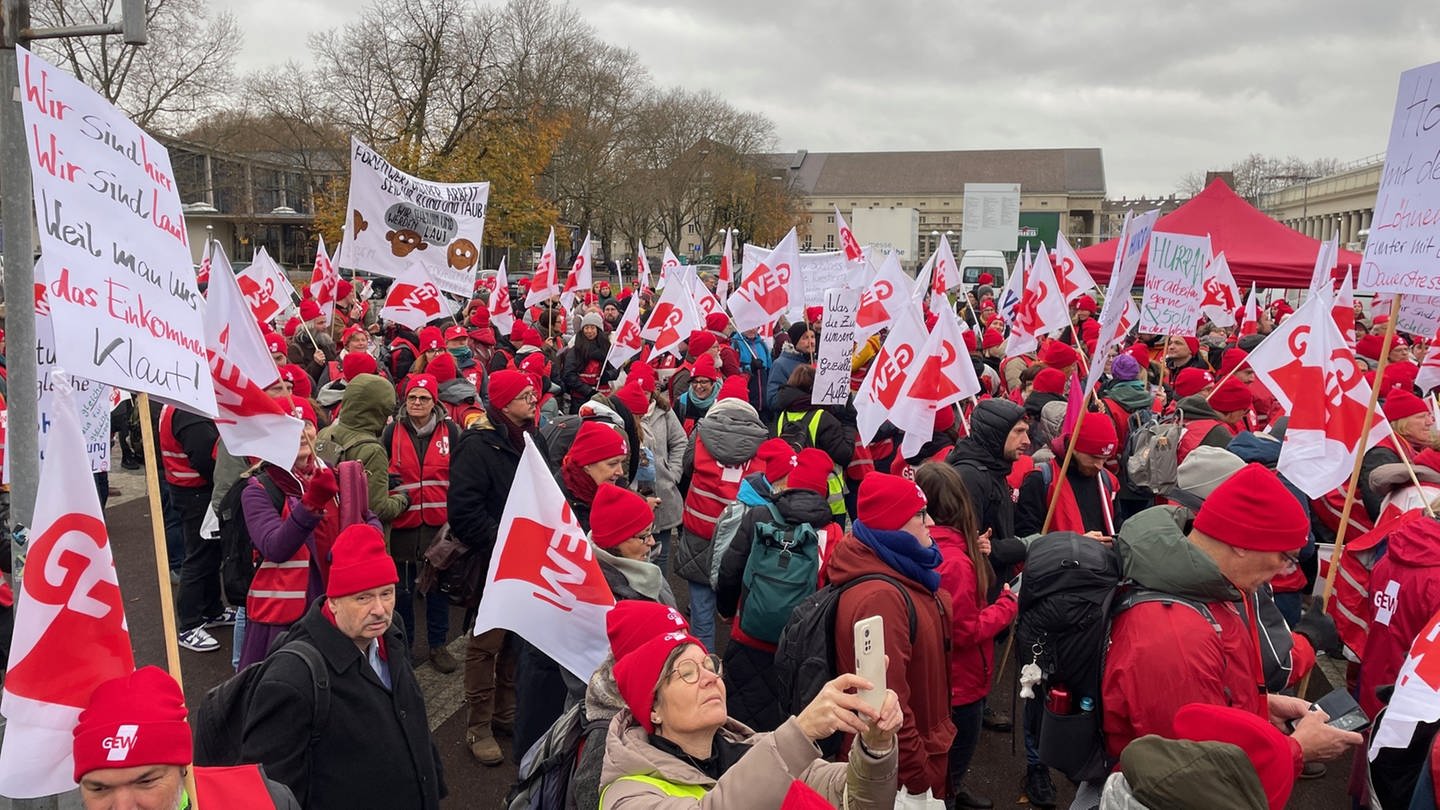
point(973, 629)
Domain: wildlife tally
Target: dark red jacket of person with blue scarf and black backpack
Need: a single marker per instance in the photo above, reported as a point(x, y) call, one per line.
point(919, 674)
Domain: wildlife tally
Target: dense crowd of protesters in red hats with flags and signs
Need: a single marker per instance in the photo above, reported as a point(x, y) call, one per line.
point(775, 533)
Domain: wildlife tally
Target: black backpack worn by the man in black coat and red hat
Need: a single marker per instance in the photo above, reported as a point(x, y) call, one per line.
point(220, 721)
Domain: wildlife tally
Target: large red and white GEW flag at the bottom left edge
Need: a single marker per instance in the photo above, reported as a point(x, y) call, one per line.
point(70, 618)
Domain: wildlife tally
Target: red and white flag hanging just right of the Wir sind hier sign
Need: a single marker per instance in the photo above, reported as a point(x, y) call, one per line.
point(251, 423)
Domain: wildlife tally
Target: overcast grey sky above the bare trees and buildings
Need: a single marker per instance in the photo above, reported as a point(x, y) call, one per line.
point(1163, 87)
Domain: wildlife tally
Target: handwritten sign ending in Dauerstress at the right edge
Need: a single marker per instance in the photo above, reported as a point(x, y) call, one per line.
point(1405, 237)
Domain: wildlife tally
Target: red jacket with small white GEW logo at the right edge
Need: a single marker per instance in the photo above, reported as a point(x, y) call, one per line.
point(1405, 592)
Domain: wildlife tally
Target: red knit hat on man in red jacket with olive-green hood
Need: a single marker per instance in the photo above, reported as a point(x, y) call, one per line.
point(1255, 511)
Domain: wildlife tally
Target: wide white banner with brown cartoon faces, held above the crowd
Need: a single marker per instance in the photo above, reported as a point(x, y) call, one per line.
point(394, 215)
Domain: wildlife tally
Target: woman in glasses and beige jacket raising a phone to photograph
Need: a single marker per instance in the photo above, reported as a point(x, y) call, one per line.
point(676, 746)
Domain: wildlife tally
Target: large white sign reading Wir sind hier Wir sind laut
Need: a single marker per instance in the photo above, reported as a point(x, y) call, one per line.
point(122, 283)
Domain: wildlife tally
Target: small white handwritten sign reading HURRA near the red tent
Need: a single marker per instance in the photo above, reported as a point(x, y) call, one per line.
point(1174, 283)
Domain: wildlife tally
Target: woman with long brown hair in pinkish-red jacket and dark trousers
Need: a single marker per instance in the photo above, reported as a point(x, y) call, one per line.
point(974, 622)
